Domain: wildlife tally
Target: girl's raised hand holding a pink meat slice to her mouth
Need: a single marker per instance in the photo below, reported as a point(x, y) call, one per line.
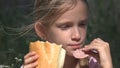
point(103, 49)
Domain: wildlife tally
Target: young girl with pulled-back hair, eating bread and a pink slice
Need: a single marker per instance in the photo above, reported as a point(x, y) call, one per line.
point(65, 22)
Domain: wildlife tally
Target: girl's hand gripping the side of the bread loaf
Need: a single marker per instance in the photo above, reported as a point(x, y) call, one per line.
point(30, 60)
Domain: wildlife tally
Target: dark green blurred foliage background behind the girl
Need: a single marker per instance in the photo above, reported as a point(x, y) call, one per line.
point(16, 30)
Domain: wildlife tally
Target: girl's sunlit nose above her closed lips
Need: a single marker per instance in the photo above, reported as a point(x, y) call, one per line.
point(76, 36)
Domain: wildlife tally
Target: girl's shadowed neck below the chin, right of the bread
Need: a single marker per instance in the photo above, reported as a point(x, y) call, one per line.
point(70, 62)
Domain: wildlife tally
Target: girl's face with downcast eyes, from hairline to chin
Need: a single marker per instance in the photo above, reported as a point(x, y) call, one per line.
point(70, 29)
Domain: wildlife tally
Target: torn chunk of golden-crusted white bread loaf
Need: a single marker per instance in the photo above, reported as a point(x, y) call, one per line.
point(51, 55)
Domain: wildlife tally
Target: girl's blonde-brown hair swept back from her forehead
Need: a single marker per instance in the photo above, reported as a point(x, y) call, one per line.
point(48, 11)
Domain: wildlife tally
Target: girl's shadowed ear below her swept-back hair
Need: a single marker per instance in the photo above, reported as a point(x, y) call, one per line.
point(40, 30)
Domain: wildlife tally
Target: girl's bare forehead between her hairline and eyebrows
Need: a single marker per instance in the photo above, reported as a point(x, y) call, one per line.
point(77, 13)
